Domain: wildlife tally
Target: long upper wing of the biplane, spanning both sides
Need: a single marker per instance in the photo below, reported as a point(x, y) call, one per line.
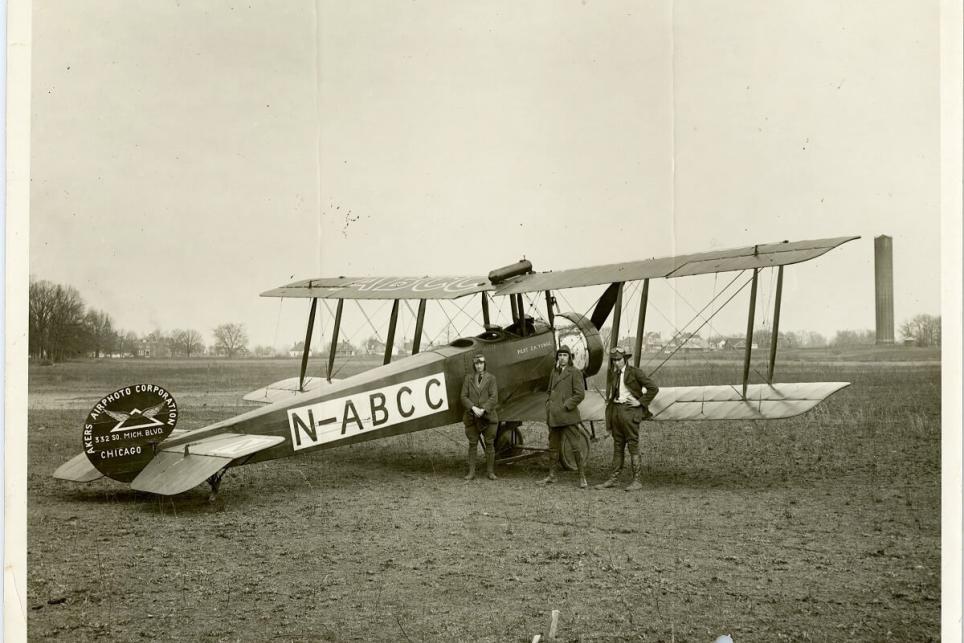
point(758, 256)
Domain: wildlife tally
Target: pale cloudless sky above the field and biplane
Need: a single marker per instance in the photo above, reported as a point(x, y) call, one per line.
point(186, 157)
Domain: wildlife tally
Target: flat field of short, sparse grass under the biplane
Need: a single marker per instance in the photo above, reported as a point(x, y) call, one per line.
point(825, 527)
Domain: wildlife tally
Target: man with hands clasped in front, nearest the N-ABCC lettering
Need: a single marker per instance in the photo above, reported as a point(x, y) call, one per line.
point(480, 398)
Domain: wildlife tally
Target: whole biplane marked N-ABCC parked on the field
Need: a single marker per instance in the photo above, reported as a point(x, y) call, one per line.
point(422, 390)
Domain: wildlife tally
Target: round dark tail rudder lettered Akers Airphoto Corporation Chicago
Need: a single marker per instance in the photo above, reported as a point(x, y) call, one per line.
point(123, 428)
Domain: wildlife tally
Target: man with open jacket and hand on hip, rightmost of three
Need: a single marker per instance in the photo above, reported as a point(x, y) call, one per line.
point(626, 406)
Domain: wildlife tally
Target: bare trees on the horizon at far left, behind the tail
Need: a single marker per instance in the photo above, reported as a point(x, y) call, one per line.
point(61, 326)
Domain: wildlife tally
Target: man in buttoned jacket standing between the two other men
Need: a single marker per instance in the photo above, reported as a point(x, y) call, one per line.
point(566, 391)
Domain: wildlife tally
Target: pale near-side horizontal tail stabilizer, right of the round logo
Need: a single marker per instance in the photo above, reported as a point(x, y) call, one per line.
point(183, 467)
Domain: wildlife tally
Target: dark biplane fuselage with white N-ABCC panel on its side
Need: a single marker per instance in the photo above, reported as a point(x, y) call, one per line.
point(411, 394)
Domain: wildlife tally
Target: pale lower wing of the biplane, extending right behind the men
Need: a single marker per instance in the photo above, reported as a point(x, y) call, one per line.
point(762, 402)
